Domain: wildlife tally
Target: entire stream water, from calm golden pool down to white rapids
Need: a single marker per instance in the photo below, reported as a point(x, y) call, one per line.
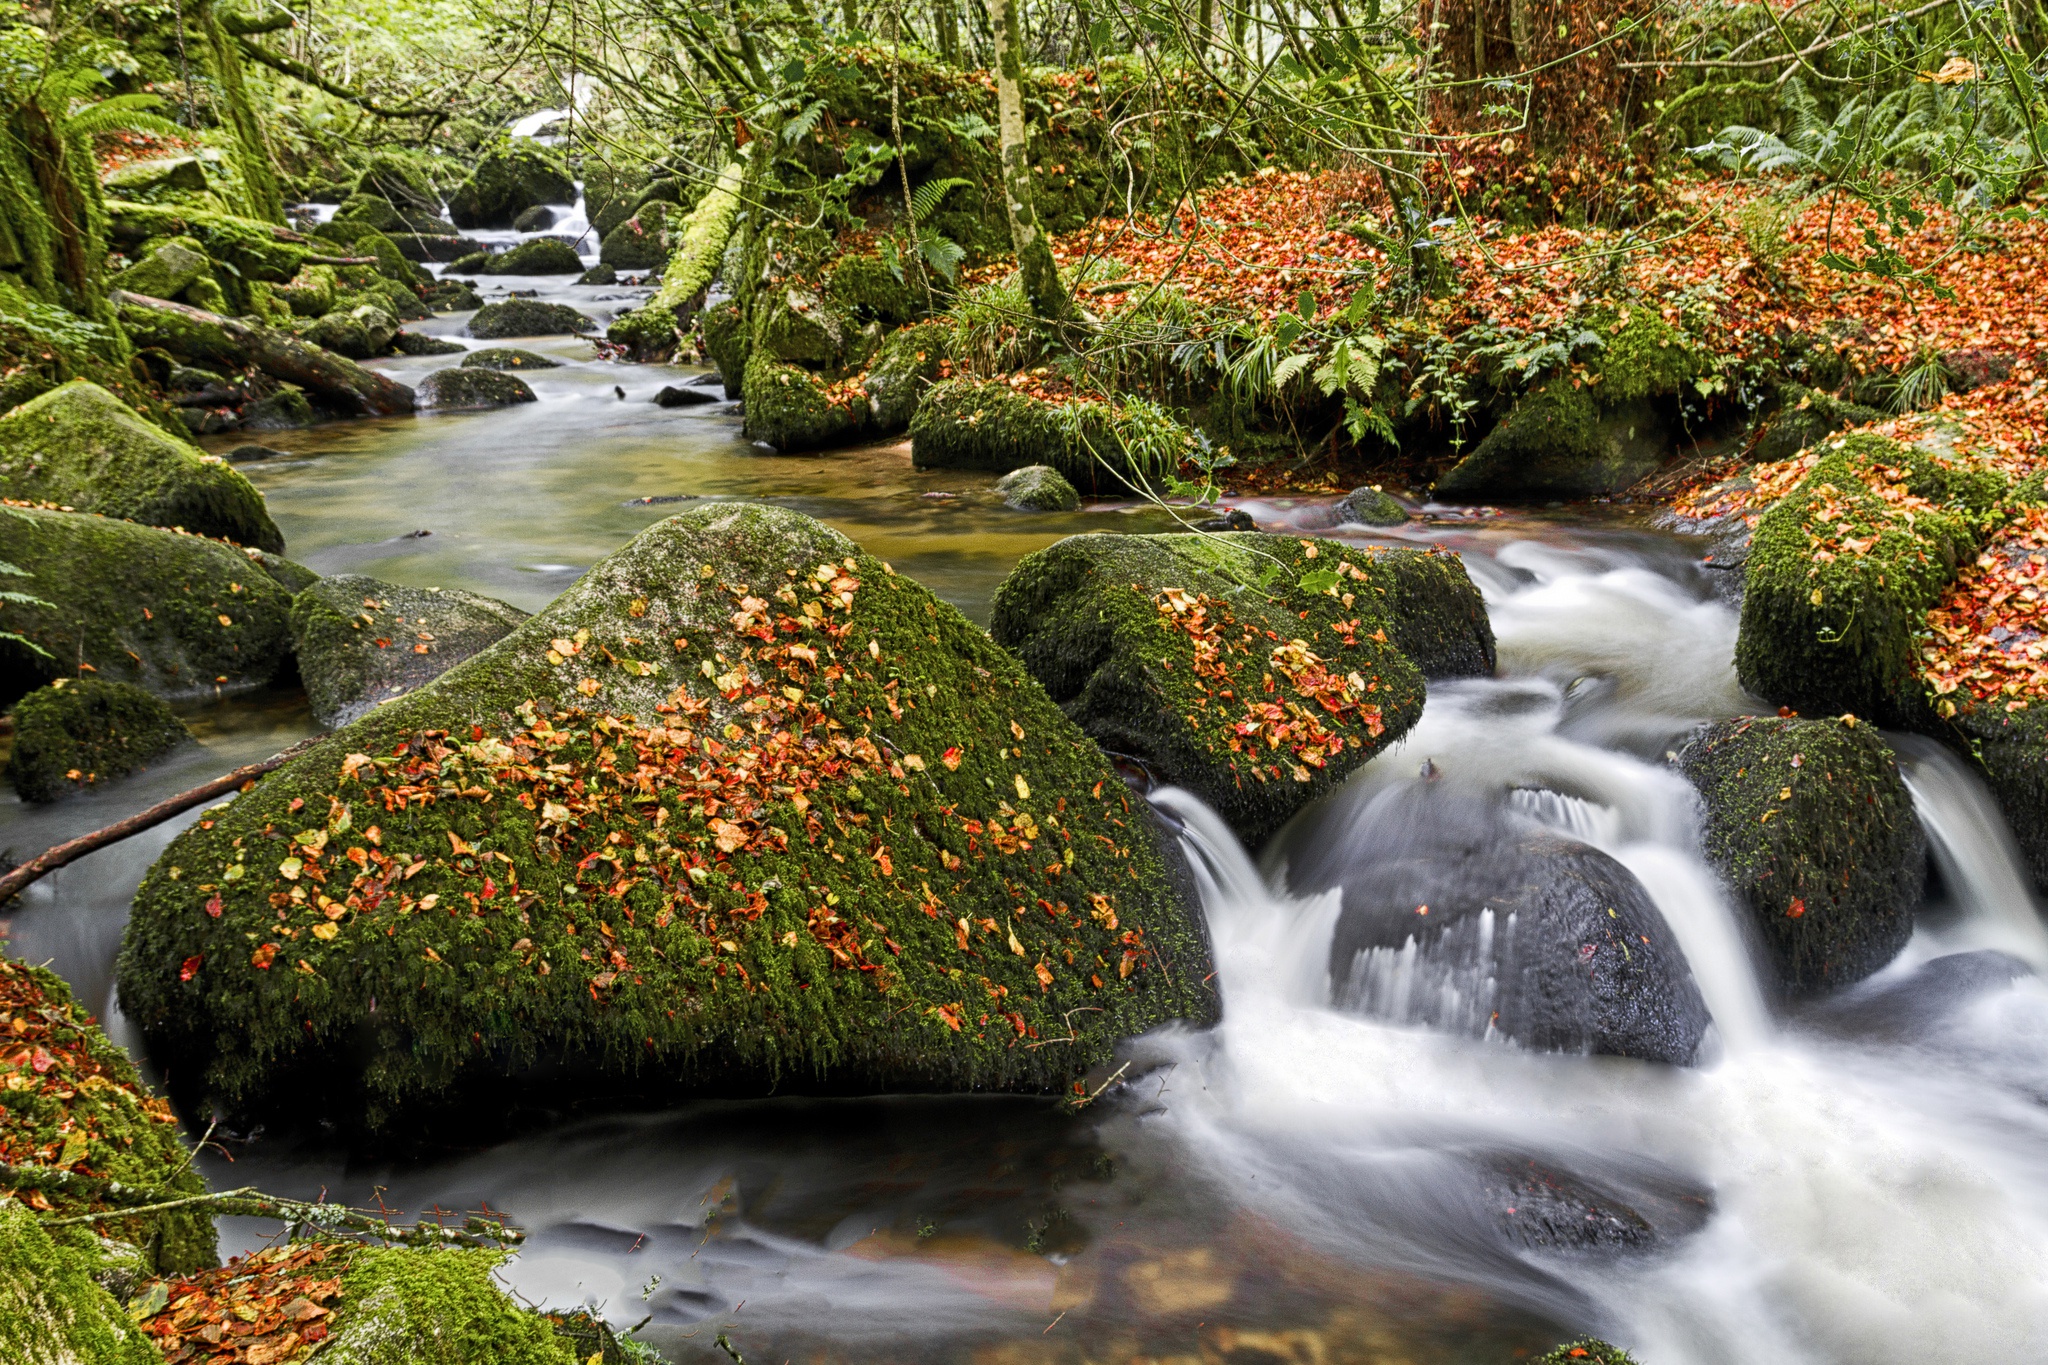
point(1326, 1176)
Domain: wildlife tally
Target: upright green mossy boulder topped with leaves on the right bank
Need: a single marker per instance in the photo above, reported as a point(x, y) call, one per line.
point(1842, 574)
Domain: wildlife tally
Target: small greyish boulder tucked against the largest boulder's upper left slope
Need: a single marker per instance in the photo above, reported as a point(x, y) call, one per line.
point(364, 642)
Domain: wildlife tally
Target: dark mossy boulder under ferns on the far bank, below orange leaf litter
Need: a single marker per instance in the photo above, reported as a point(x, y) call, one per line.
point(1562, 443)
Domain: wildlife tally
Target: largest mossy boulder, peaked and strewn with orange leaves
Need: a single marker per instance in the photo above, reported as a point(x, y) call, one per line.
point(740, 807)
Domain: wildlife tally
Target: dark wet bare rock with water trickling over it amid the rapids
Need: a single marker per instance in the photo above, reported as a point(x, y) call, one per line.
point(1465, 922)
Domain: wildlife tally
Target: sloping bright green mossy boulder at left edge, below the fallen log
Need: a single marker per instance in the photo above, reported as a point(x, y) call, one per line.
point(81, 447)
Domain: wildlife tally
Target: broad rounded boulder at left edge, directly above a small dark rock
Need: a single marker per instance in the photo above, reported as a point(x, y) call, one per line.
point(171, 613)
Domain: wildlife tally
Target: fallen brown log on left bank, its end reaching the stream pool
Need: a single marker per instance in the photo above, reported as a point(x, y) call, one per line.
point(202, 337)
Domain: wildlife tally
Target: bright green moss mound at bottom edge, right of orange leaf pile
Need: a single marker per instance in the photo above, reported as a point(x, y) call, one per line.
point(407, 1307)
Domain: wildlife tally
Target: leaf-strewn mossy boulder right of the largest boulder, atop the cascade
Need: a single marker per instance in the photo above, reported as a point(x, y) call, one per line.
point(1252, 670)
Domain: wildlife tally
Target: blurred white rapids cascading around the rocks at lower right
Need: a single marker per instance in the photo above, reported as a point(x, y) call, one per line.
point(1875, 1170)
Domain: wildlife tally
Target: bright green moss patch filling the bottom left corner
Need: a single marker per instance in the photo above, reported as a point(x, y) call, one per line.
point(52, 1313)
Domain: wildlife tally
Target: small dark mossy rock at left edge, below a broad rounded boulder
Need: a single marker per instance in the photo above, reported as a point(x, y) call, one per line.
point(81, 734)
